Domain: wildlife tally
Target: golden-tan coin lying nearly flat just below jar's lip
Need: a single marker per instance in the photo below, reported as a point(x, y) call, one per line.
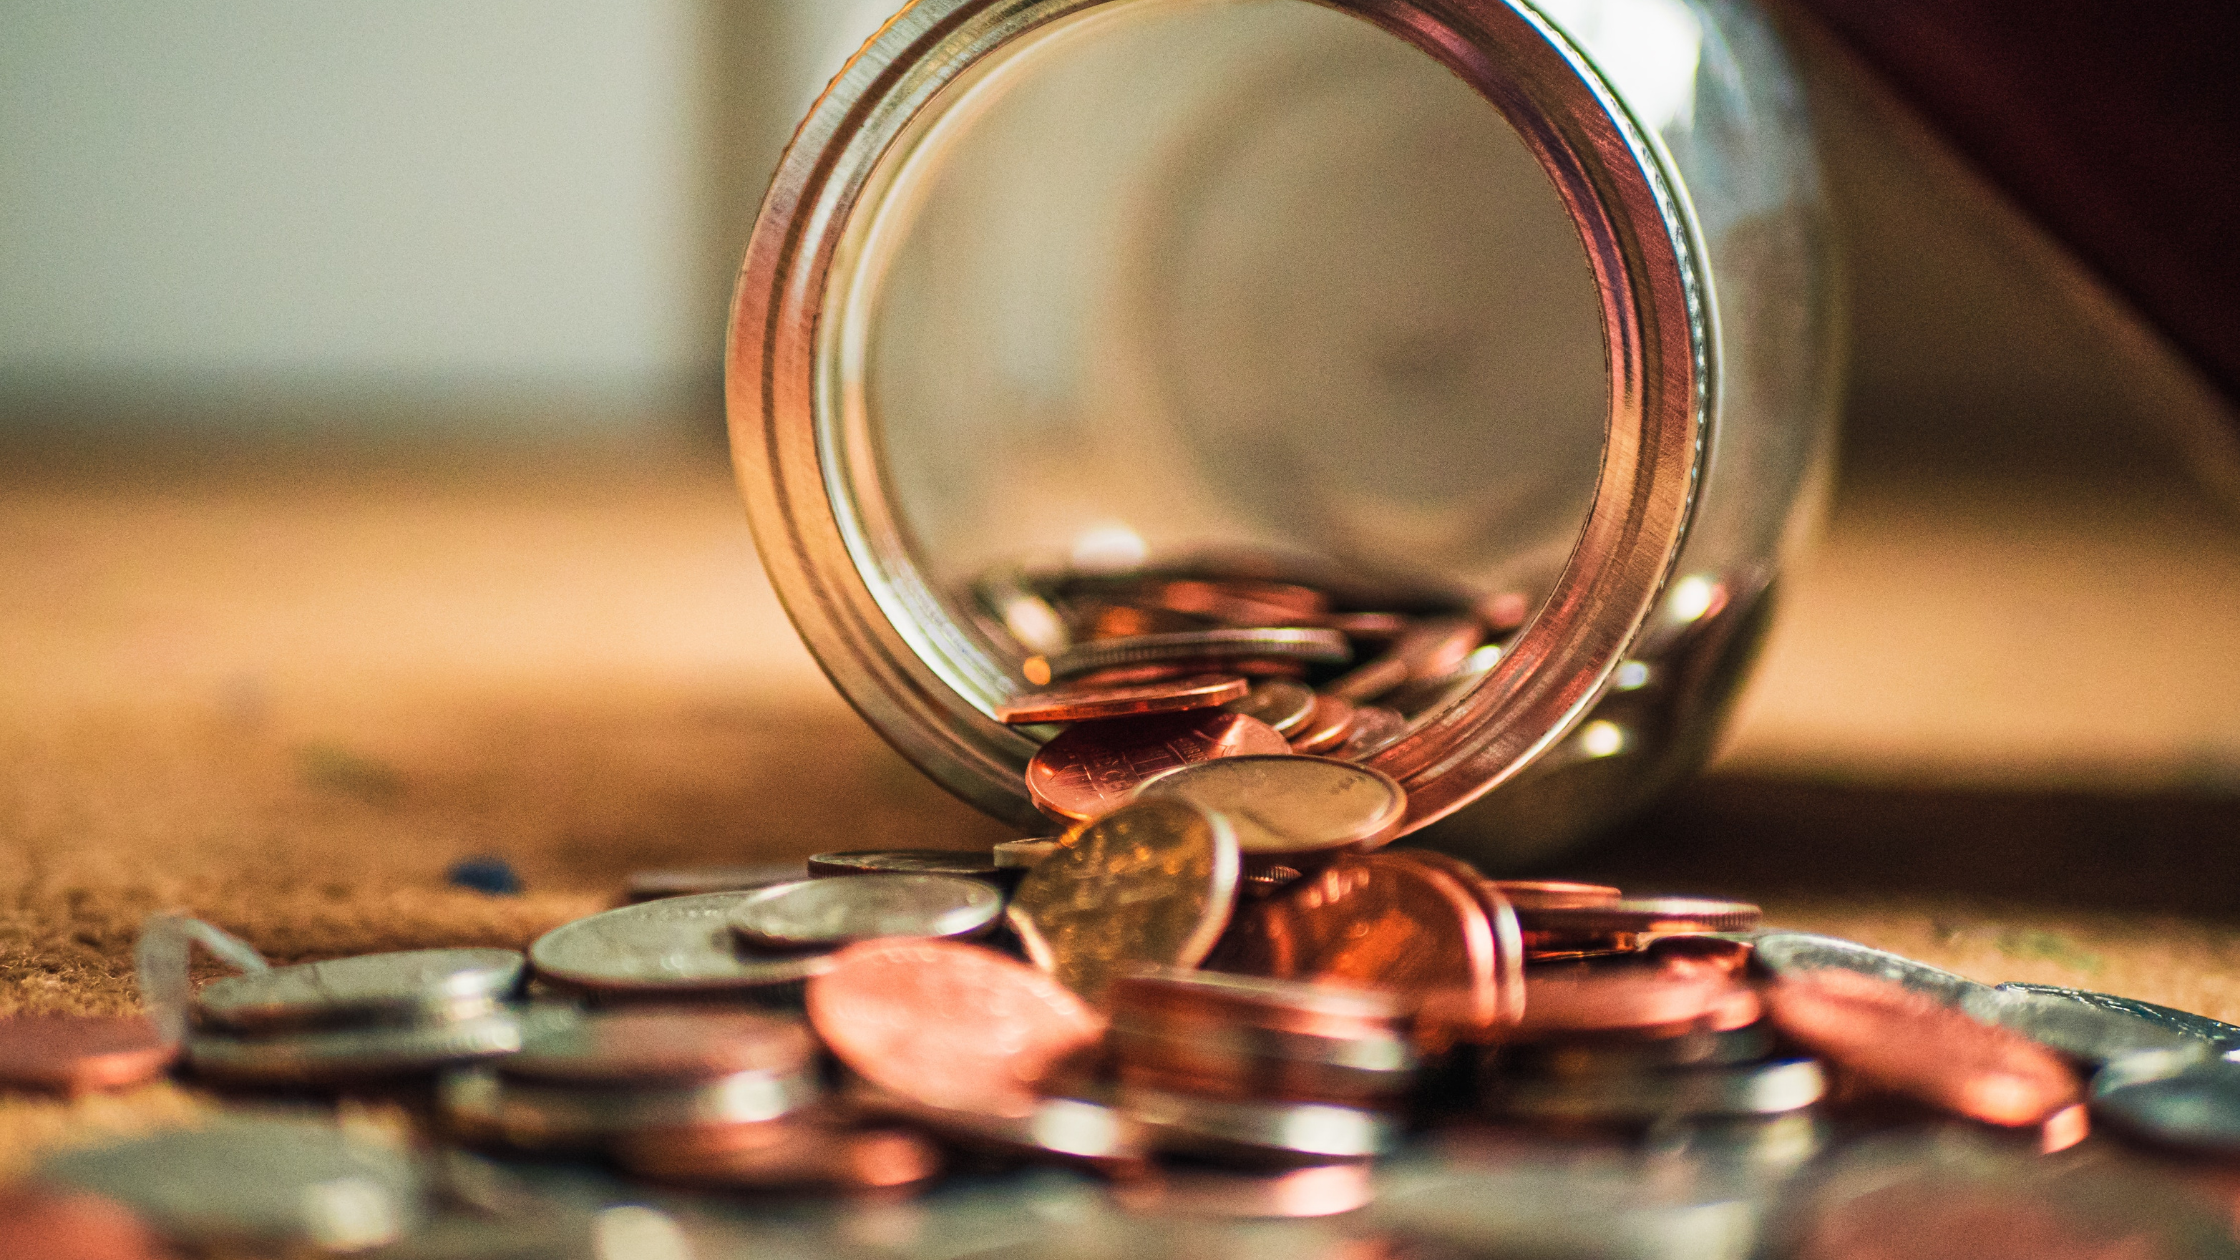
point(1291, 804)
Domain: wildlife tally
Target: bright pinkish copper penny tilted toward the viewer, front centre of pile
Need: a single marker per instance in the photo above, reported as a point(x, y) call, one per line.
point(951, 1026)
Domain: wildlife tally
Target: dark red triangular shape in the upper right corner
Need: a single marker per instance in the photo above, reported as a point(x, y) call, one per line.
point(2116, 124)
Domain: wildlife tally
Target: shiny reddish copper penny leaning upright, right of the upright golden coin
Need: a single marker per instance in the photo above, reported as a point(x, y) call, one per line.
point(1379, 923)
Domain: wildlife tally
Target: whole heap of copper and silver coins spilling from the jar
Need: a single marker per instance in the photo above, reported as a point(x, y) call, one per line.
point(1222, 990)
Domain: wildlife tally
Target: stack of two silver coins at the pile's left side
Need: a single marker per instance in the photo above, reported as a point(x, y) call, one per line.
point(380, 1015)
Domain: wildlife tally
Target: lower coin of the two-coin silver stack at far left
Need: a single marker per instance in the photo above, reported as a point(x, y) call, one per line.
point(351, 1055)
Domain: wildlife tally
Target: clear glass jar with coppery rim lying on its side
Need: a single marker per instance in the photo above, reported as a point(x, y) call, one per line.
point(1437, 304)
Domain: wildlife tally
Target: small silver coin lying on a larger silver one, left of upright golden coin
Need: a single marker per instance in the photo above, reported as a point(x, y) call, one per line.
point(866, 907)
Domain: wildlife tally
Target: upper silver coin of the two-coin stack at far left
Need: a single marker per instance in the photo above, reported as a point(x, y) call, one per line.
point(371, 988)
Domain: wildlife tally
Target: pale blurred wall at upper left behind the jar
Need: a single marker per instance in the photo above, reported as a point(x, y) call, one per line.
point(416, 205)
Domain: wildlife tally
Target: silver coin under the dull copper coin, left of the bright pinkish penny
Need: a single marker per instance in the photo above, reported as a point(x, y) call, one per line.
point(570, 1118)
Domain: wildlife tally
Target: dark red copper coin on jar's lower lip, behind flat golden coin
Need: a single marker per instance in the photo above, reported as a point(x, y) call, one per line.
point(1094, 768)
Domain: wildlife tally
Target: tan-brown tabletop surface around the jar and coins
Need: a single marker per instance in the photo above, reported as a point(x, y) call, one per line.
point(1995, 728)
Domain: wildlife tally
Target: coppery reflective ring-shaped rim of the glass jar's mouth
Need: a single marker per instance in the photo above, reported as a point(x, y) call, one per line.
point(821, 490)
